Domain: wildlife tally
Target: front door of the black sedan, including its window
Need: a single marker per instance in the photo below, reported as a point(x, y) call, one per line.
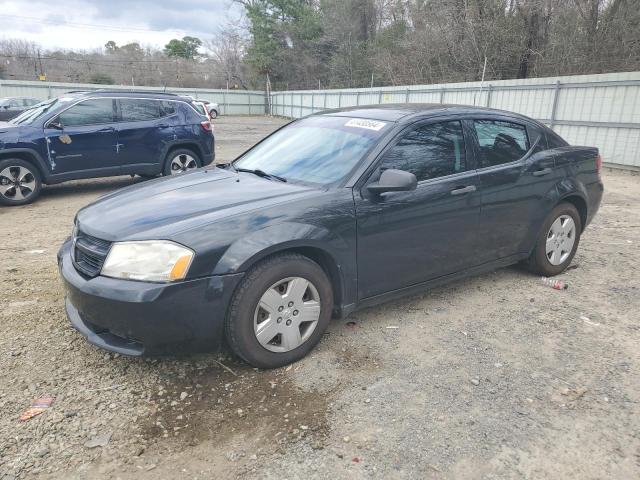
point(405, 238)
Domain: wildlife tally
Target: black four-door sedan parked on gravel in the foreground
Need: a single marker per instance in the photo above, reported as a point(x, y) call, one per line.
point(332, 213)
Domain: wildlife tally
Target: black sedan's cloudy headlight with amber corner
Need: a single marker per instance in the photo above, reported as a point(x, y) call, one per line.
point(153, 261)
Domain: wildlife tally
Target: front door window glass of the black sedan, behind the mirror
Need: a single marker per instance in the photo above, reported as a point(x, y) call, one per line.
point(429, 151)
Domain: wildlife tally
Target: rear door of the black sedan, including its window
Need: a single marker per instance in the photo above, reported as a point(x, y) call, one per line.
point(514, 185)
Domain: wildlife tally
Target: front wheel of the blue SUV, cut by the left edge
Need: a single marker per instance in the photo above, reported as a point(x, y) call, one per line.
point(20, 182)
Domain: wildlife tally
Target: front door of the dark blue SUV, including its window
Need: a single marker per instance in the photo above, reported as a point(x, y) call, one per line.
point(84, 139)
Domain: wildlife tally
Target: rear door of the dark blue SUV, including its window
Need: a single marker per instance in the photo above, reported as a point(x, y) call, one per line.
point(145, 130)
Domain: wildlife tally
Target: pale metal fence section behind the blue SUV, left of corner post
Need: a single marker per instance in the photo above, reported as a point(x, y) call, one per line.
point(232, 102)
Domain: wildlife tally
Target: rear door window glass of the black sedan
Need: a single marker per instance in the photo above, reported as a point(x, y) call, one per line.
point(500, 142)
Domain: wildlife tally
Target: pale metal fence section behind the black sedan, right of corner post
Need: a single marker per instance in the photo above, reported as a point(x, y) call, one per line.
point(599, 110)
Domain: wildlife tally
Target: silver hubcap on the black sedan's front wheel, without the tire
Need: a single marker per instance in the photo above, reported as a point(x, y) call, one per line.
point(287, 314)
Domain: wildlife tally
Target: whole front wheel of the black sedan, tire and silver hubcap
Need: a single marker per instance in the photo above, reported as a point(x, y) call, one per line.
point(277, 282)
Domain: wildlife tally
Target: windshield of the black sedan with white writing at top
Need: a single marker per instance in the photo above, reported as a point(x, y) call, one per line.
point(320, 150)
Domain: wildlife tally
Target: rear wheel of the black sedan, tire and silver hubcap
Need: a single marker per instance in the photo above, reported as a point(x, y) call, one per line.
point(544, 261)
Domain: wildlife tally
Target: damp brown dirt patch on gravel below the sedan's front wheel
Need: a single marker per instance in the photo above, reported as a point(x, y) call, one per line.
point(204, 406)
